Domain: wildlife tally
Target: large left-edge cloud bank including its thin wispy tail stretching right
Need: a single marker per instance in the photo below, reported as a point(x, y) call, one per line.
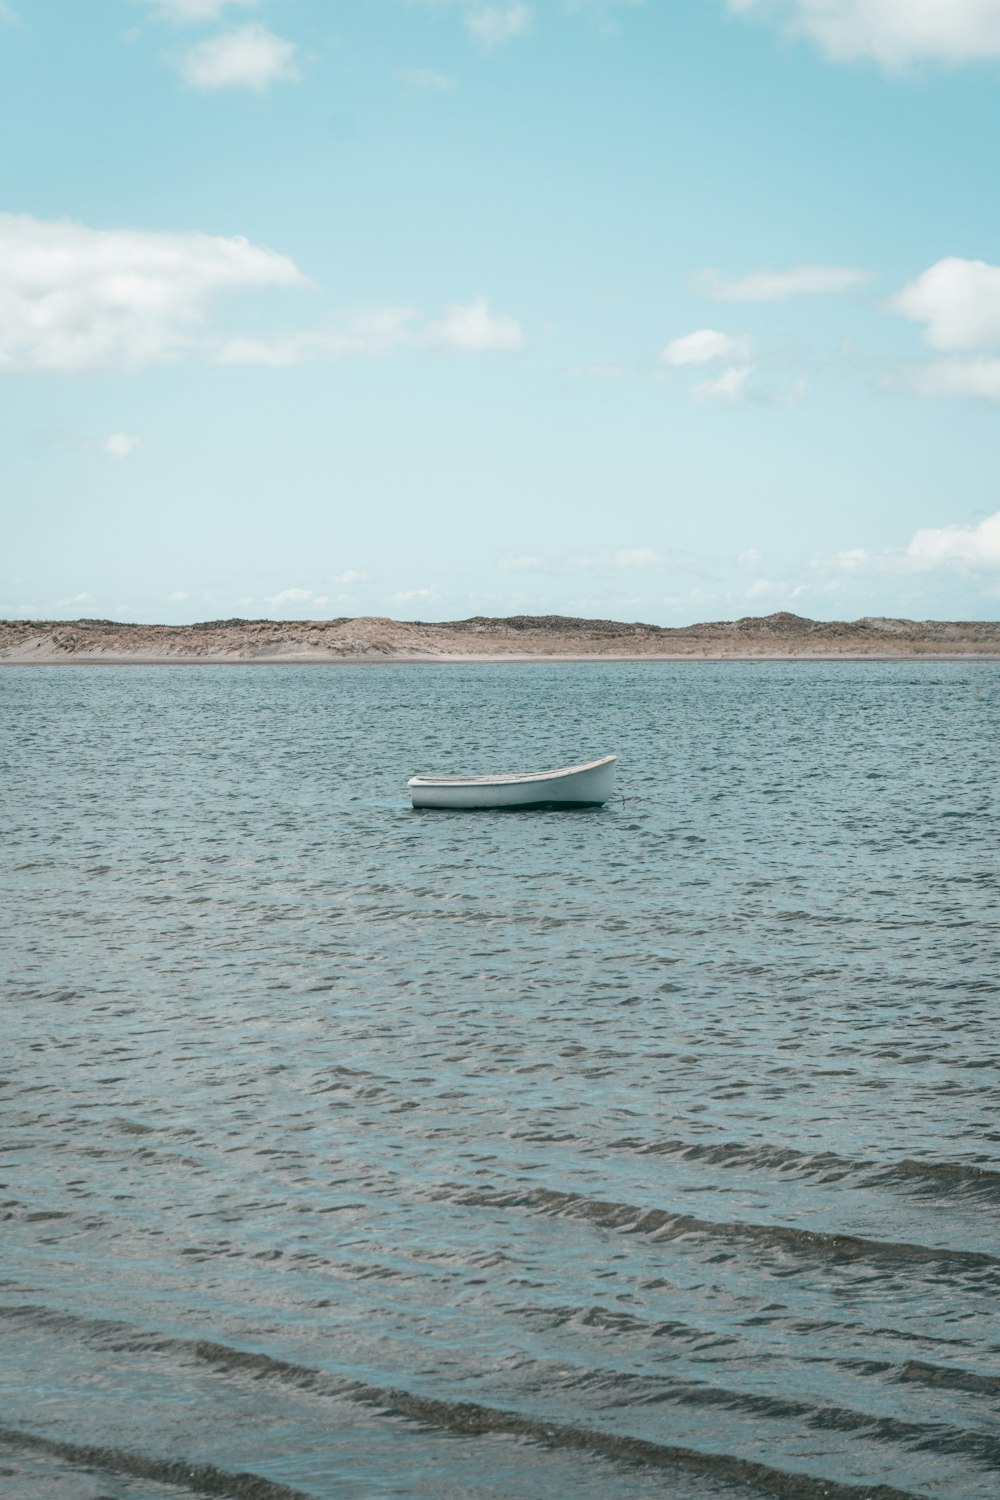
point(77, 299)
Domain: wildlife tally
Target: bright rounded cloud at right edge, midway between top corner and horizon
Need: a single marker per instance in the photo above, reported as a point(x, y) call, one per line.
point(959, 301)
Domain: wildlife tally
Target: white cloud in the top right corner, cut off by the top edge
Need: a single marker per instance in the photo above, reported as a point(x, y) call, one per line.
point(891, 32)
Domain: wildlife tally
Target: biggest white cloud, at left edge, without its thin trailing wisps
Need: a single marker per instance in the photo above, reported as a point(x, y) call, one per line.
point(76, 299)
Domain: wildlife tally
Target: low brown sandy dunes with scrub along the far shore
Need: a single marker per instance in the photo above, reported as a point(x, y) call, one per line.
point(379, 640)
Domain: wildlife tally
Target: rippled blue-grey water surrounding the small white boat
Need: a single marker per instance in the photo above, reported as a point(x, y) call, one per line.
point(361, 1153)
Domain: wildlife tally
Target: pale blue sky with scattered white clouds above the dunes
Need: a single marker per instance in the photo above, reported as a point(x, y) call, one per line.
point(666, 311)
